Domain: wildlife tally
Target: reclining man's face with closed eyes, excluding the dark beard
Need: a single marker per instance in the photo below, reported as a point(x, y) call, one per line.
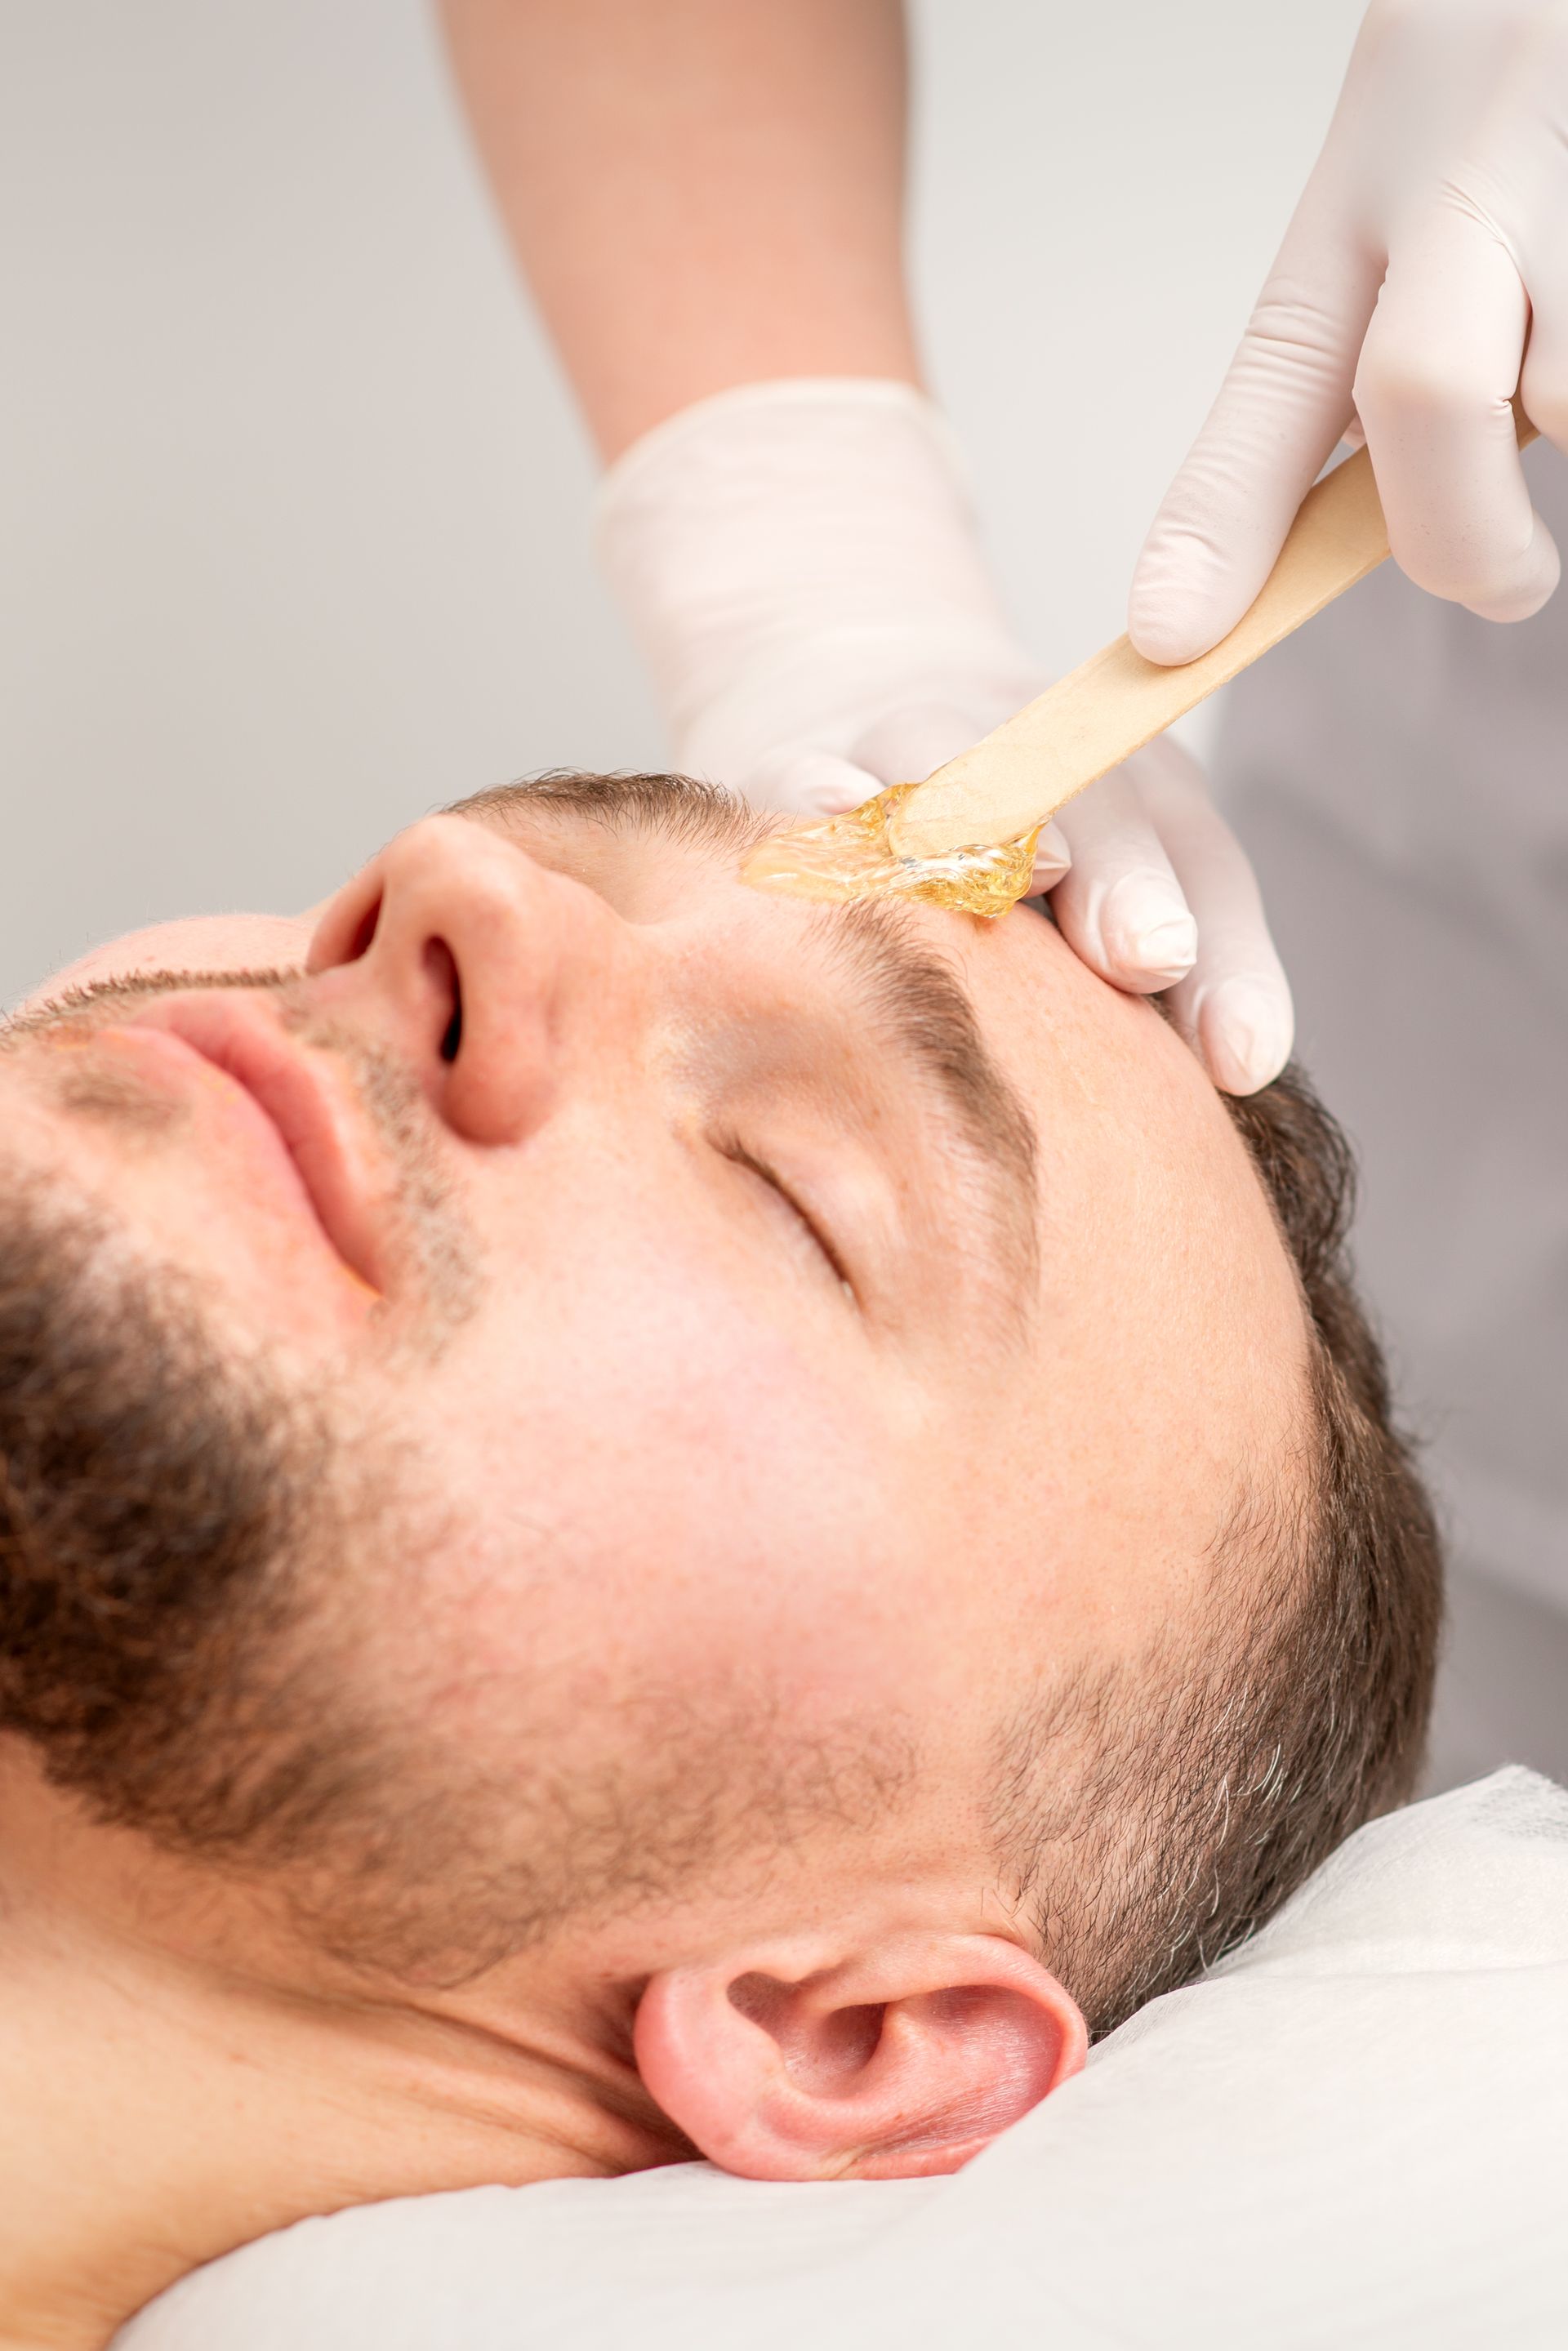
point(800, 1332)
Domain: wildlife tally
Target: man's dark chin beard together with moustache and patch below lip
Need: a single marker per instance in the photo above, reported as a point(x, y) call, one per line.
point(170, 1515)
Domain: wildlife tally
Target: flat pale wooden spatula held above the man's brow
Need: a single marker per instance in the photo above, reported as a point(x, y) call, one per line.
point(1118, 702)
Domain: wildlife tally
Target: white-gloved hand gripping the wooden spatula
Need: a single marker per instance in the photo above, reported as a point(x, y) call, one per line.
point(1430, 241)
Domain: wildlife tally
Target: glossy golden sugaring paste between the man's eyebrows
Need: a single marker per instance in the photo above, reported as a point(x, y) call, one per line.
point(850, 857)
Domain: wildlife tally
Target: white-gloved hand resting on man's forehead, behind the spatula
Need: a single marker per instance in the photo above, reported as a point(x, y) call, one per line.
point(800, 568)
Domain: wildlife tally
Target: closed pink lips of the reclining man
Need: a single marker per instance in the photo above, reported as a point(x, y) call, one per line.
point(319, 1127)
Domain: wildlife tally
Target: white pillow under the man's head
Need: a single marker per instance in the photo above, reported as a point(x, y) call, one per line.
point(1351, 2134)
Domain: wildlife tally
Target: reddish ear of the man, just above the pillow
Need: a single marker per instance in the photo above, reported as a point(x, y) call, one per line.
point(899, 2063)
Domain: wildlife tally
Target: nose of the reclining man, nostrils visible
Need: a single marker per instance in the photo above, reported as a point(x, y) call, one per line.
point(478, 967)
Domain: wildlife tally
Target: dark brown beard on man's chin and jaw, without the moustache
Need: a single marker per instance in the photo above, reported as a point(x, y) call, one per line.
point(192, 1560)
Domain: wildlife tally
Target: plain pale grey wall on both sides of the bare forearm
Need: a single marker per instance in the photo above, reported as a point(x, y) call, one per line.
point(295, 509)
